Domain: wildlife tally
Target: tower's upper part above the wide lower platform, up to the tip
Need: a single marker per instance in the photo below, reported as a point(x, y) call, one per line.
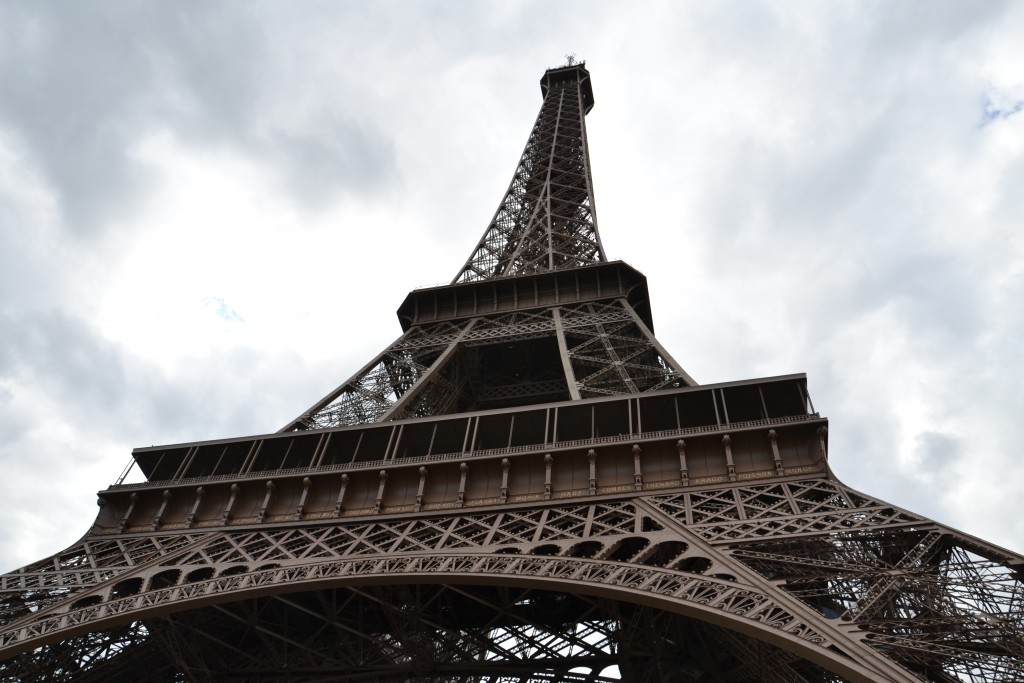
point(536, 315)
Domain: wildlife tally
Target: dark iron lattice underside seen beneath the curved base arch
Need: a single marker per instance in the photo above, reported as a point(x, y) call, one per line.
point(419, 633)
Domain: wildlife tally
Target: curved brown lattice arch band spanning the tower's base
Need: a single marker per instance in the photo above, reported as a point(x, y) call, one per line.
point(735, 607)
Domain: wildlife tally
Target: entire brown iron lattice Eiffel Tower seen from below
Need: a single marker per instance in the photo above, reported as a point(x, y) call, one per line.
point(525, 487)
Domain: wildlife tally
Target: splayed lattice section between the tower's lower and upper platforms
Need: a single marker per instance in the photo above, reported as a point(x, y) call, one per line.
point(595, 349)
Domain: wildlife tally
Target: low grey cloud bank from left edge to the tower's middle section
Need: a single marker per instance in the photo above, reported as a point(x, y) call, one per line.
point(103, 389)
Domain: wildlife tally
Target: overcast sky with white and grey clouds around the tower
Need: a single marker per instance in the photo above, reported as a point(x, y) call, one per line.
point(210, 211)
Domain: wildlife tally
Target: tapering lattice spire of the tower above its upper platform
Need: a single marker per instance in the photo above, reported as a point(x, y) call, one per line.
point(546, 221)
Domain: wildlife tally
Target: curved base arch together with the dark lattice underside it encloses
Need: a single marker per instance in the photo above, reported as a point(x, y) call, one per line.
point(442, 618)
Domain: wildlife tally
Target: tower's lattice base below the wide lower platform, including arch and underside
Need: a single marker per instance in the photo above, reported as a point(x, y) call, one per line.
point(793, 573)
